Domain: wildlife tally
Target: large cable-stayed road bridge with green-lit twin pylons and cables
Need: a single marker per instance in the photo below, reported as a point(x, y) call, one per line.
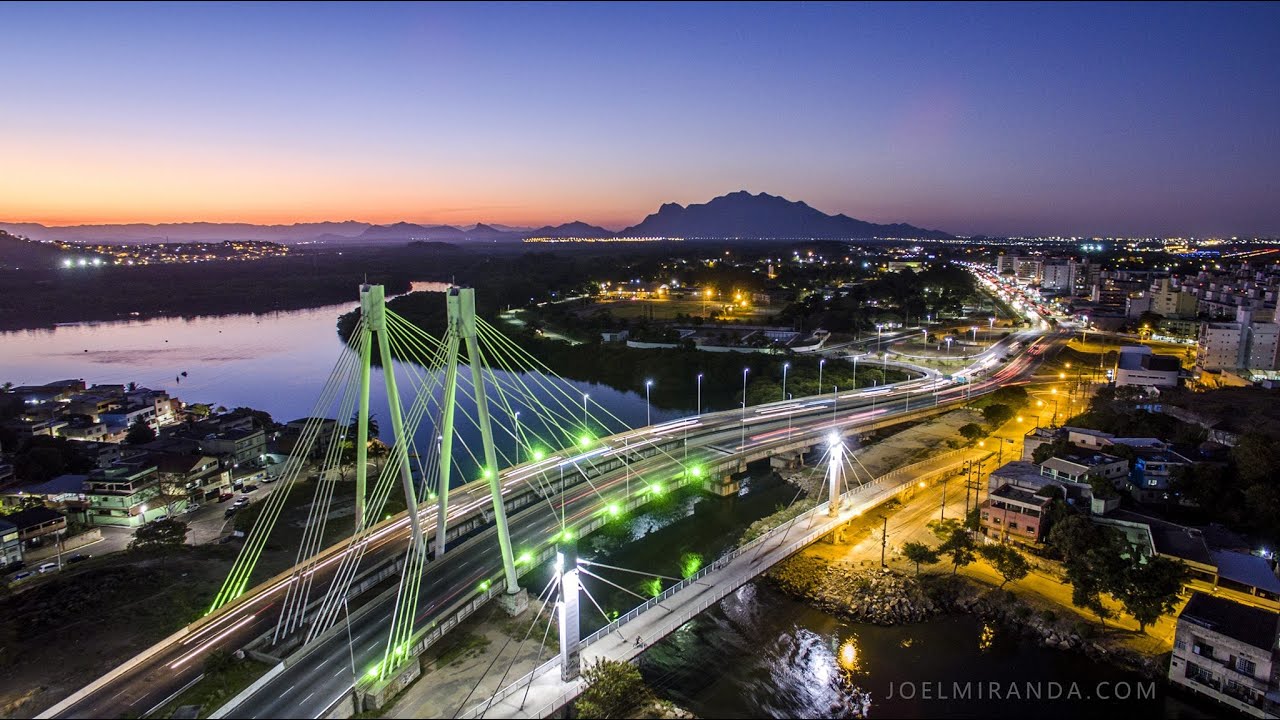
point(552, 467)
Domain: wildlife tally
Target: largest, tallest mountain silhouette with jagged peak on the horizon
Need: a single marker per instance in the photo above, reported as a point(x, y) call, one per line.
point(746, 216)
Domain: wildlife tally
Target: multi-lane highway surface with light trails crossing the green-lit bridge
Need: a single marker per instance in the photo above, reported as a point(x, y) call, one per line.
point(313, 685)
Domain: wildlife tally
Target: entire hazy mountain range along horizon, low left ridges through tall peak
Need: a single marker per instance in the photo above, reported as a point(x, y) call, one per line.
point(735, 216)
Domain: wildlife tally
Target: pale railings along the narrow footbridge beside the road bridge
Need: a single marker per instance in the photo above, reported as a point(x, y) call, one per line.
point(692, 610)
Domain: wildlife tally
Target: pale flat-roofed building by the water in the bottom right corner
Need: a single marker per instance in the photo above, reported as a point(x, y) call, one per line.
point(1227, 651)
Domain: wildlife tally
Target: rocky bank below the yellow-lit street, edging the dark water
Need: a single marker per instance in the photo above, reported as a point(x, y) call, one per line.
point(888, 598)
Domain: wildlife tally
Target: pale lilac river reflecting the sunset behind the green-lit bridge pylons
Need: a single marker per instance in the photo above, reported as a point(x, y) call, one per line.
point(280, 362)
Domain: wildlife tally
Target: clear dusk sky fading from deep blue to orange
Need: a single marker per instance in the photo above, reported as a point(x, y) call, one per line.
point(1002, 120)
